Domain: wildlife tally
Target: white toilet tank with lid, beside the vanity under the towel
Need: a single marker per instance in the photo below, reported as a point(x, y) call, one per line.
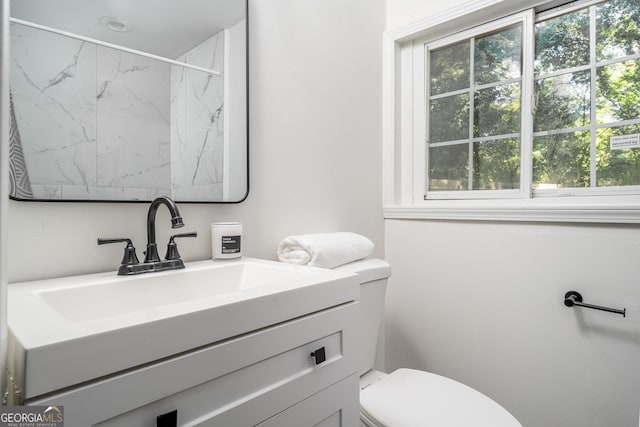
point(373, 275)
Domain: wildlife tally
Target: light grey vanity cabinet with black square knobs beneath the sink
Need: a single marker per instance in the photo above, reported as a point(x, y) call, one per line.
point(267, 377)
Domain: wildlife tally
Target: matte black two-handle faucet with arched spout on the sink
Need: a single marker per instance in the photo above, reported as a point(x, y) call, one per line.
point(130, 265)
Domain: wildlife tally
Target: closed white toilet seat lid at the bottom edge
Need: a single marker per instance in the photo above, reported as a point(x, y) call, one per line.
point(411, 398)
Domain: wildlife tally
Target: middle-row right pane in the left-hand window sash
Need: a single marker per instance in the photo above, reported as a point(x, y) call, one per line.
point(497, 110)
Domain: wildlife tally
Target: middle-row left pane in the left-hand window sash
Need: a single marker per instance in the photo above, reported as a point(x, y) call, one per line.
point(449, 118)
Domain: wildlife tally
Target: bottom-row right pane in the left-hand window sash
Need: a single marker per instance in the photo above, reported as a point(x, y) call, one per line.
point(496, 164)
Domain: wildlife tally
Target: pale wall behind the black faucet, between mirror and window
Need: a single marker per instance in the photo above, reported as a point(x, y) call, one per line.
point(315, 150)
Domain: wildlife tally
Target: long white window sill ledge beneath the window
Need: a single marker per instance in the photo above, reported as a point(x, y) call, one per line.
point(616, 210)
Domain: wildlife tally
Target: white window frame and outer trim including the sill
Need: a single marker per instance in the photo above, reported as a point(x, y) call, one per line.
point(404, 162)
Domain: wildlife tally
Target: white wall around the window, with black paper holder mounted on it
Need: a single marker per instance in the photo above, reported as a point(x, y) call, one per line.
point(482, 303)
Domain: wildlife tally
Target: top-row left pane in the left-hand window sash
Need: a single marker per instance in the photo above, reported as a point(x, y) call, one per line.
point(449, 68)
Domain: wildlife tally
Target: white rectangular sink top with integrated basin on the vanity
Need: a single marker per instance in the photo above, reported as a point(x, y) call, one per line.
point(70, 330)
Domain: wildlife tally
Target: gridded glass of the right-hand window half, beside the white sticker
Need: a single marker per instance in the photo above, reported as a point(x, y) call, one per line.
point(587, 90)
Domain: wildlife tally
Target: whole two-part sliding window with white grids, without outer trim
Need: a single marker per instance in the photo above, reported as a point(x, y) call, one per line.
point(531, 106)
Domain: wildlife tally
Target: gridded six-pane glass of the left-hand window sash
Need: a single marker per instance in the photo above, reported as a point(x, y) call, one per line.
point(474, 95)
